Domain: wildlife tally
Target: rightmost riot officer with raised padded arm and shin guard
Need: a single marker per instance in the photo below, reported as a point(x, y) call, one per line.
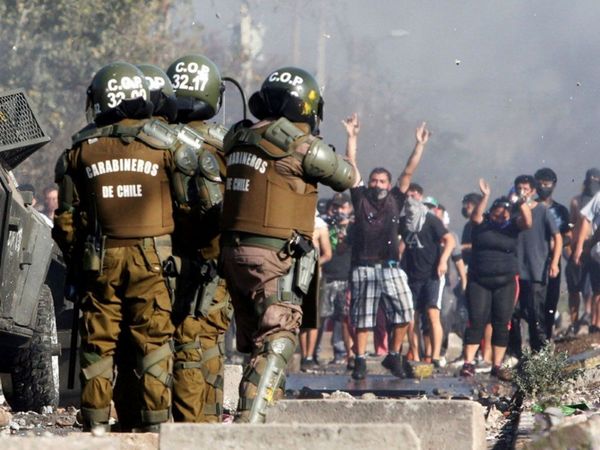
point(273, 168)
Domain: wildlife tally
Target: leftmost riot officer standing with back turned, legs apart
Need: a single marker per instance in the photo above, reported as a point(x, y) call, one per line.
point(115, 214)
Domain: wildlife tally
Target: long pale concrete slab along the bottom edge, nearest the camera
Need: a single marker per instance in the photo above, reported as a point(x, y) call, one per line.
point(333, 436)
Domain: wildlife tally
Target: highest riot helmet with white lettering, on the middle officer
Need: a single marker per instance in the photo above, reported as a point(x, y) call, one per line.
point(198, 87)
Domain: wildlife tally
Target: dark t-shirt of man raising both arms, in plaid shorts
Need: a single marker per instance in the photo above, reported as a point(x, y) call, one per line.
point(375, 230)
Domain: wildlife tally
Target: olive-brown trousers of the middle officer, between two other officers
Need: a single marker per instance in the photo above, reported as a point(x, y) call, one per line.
point(198, 371)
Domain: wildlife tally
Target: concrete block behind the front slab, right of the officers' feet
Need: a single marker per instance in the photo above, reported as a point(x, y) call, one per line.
point(447, 424)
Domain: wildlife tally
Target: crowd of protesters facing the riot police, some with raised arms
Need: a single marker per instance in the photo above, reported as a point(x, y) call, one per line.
point(388, 273)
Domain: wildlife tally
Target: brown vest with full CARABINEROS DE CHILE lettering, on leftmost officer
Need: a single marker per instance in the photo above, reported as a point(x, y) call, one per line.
point(126, 186)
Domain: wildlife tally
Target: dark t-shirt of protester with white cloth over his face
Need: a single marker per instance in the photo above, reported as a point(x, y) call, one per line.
point(423, 249)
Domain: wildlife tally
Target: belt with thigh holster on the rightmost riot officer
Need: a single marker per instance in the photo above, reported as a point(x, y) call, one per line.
point(293, 286)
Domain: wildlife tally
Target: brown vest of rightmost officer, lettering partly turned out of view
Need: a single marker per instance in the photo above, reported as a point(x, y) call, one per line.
point(258, 198)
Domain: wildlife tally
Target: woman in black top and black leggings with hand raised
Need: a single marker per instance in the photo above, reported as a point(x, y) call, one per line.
point(492, 275)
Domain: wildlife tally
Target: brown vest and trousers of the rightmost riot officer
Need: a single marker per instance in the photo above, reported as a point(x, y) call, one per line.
point(268, 202)
